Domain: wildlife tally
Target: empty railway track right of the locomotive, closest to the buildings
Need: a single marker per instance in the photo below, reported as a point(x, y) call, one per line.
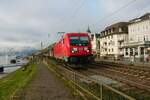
point(128, 75)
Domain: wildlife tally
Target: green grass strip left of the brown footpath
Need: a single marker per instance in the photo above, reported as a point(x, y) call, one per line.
point(10, 84)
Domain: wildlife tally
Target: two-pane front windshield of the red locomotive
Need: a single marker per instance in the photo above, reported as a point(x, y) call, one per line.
point(79, 40)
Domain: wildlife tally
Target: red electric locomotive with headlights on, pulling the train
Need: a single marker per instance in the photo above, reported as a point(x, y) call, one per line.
point(73, 47)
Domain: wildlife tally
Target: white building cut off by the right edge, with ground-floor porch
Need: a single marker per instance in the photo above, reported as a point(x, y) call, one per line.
point(138, 39)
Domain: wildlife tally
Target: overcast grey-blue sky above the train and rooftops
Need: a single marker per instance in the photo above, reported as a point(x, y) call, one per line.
point(28, 22)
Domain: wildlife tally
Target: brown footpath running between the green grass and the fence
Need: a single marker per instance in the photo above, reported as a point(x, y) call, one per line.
point(45, 86)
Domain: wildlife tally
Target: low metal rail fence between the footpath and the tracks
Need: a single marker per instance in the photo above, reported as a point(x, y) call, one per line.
point(91, 88)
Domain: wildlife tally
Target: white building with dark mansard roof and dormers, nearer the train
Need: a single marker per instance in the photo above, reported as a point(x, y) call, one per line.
point(112, 40)
